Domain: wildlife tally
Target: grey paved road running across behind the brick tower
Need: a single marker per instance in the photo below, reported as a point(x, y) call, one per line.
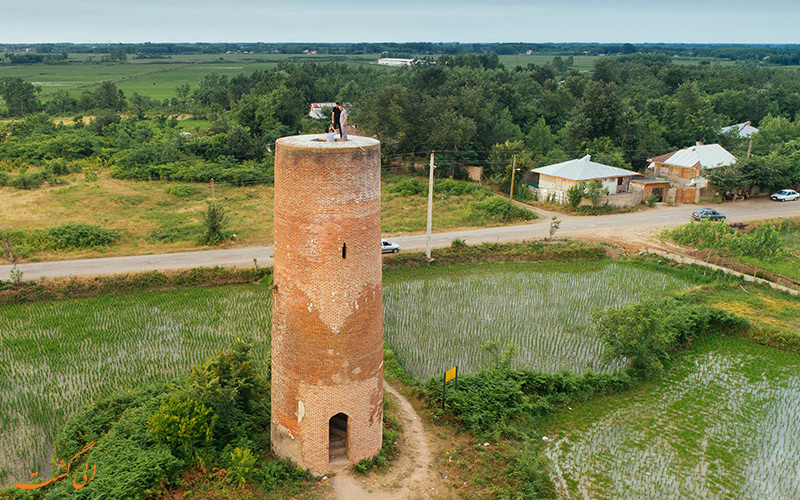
point(606, 226)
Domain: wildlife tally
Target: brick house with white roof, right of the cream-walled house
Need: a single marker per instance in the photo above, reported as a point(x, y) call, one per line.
point(685, 167)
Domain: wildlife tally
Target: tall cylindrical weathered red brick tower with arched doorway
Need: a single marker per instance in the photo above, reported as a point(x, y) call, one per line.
point(327, 316)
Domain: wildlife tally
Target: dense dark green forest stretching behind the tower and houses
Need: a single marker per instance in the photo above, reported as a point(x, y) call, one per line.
point(468, 107)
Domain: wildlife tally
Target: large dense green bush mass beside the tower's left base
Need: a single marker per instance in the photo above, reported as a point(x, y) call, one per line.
point(145, 439)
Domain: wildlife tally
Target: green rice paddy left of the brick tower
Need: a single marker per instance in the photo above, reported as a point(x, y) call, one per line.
point(59, 356)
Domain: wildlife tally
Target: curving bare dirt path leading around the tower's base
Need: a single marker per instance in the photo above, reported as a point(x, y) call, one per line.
point(411, 475)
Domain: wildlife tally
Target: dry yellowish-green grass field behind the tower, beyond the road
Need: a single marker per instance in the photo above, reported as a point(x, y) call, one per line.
point(156, 216)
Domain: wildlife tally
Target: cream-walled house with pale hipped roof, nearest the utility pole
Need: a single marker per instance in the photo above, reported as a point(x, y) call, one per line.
point(554, 180)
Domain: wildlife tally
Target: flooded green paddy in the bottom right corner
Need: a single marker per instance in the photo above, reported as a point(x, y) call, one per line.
point(722, 424)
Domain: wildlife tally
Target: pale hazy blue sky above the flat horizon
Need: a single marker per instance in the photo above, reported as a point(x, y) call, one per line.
point(604, 21)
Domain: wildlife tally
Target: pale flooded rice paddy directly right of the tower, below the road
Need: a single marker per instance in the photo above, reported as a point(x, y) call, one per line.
point(437, 323)
